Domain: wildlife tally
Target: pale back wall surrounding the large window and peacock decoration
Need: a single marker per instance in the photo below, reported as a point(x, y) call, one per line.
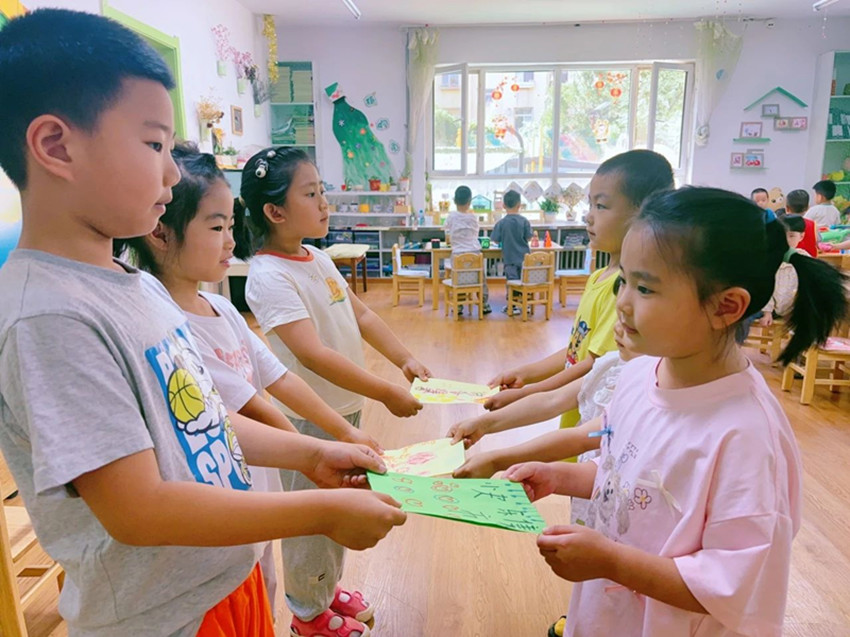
point(785, 55)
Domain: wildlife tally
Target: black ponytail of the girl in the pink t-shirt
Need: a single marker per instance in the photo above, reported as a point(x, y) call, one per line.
point(821, 304)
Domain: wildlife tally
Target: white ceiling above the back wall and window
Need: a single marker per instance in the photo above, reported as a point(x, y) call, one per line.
point(478, 12)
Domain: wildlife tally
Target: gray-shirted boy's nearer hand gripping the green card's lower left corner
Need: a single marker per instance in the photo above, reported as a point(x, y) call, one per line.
point(360, 519)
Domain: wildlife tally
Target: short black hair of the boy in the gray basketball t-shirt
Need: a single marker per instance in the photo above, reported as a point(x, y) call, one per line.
point(67, 63)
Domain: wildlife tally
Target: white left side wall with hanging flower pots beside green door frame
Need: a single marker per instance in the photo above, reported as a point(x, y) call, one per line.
point(191, 21)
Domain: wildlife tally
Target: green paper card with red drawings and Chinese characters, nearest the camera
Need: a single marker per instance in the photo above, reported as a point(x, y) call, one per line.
point(497, 503)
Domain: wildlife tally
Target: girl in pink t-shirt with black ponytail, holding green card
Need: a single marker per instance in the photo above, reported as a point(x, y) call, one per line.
point(695, 499)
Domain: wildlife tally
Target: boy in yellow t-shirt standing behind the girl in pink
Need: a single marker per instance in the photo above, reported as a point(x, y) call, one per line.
point(617, 190)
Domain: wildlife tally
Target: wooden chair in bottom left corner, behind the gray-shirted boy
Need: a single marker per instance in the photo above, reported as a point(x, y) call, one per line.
point(18, 547)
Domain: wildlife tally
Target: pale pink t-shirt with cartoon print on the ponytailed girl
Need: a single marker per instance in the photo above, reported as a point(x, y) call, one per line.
point(709, 476)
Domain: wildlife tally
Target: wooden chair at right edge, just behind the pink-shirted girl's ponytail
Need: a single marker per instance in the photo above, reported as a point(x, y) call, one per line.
point(831, 359)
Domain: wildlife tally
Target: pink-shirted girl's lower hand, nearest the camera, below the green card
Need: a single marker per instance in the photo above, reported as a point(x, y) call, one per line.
point(577, 553)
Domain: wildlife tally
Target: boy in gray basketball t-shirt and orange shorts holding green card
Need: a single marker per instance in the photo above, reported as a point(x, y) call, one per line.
point(127, 460)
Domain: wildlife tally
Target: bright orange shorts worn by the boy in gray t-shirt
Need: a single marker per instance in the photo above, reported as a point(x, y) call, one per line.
point(244, 613)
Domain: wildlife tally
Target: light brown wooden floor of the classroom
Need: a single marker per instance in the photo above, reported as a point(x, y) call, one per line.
point(434, 578)
